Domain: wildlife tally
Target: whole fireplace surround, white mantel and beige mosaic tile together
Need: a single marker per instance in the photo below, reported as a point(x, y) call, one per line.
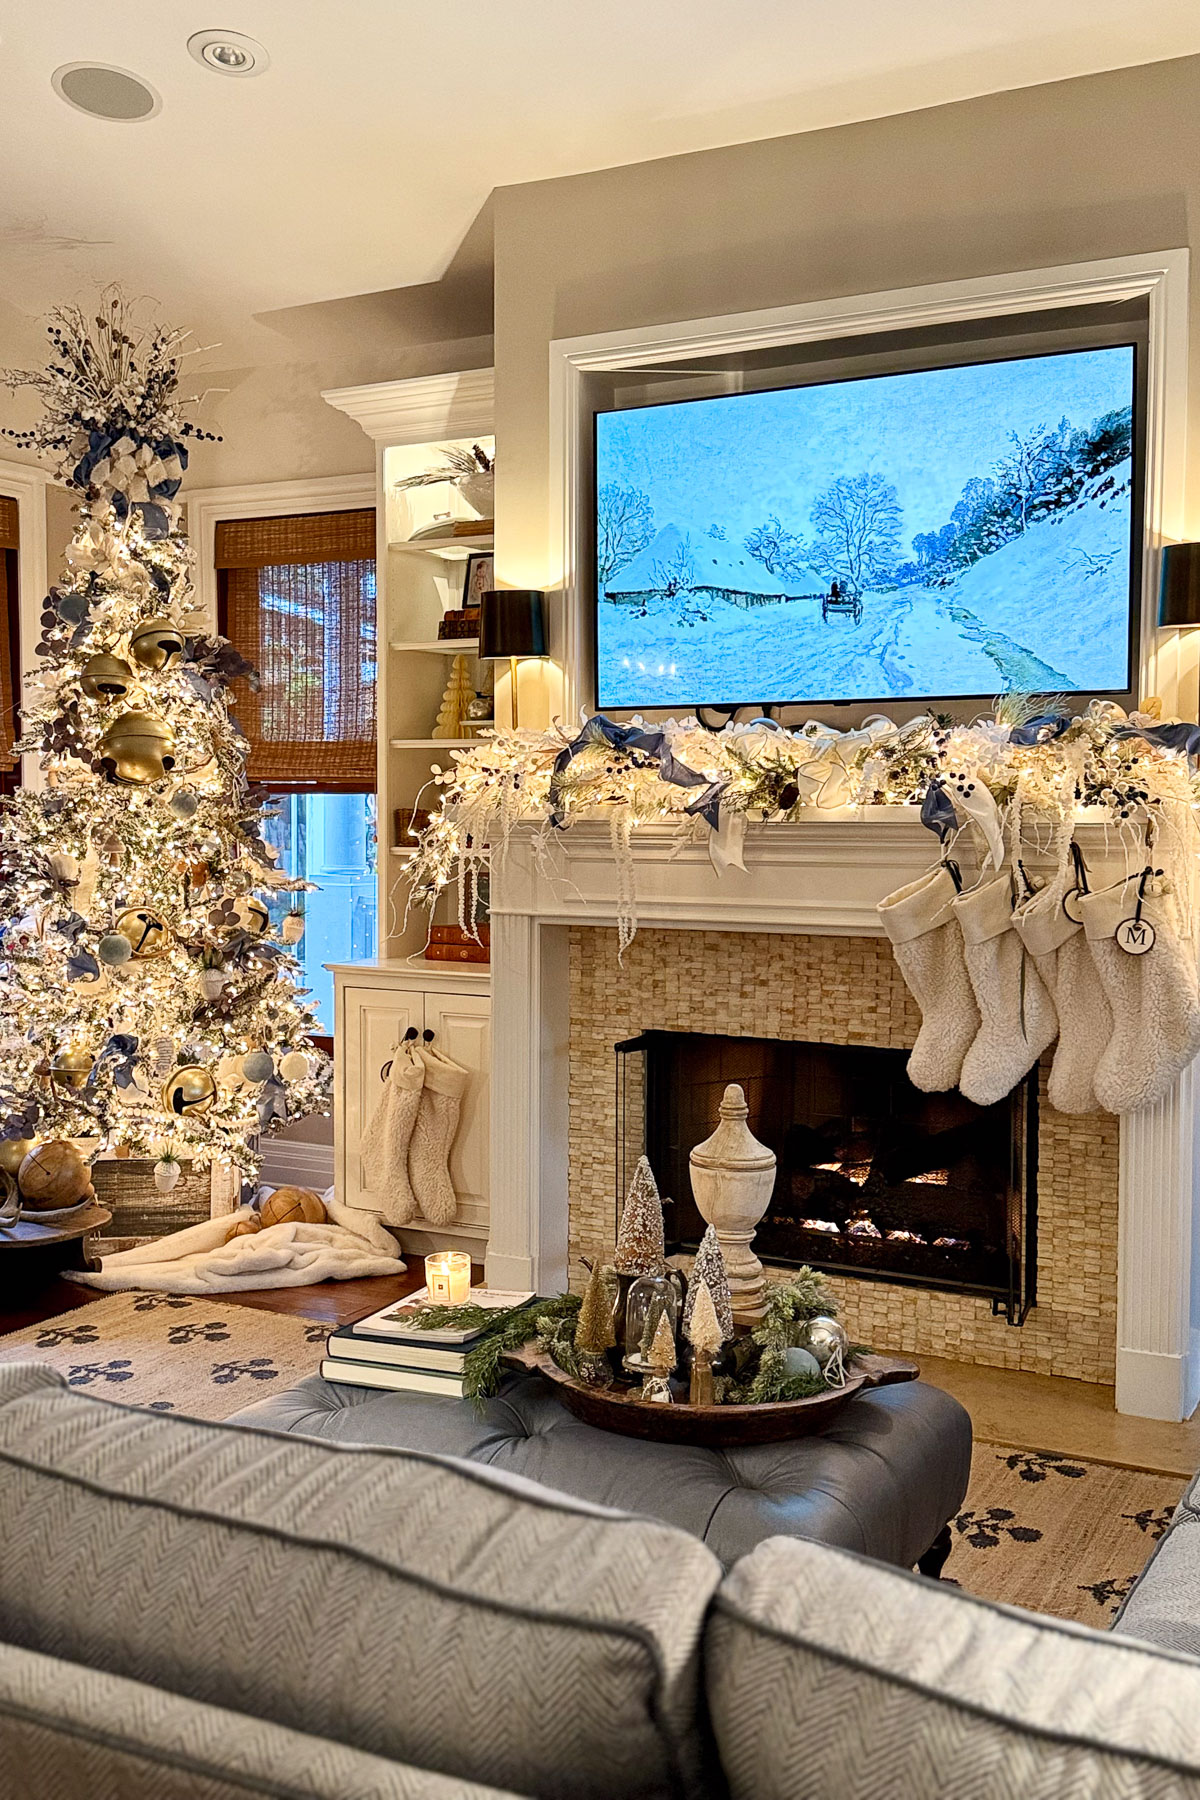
point(793, 949)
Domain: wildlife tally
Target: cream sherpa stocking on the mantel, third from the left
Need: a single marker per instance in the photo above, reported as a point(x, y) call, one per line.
point(1066, 966)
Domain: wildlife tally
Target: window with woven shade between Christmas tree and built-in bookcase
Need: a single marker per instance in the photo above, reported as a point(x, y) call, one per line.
point(300, 600)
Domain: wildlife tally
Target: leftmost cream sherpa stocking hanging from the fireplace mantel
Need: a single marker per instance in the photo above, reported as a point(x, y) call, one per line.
point(929, 951)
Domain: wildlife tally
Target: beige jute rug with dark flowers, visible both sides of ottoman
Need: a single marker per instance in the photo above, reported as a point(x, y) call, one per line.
point(1050, 1533)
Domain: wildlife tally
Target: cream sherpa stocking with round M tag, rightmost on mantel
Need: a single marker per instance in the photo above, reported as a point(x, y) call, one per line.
point(1154, 998)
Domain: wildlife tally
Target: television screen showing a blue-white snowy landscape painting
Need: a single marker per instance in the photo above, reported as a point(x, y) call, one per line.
point(951, 532)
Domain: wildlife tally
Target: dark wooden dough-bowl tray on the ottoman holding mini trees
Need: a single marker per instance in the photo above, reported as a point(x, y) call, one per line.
point(712, 1426)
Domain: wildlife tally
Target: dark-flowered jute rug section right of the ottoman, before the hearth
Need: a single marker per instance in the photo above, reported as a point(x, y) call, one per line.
point(1057, 1534)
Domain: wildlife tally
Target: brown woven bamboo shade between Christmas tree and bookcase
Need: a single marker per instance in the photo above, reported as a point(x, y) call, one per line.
point(300, 602)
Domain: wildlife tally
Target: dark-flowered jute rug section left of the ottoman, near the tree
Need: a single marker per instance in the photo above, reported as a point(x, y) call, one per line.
point(204, 1358)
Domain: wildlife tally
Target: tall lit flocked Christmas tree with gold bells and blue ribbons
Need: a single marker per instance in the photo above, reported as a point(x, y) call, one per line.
point(145, 996)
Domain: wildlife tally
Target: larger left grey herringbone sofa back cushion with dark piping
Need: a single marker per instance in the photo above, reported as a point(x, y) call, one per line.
point(415, 1606)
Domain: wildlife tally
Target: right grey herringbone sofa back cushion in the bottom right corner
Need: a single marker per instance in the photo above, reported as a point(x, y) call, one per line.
point(834, 1678)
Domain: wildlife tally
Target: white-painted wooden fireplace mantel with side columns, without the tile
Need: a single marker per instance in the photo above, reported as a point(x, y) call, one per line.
point(823, 876)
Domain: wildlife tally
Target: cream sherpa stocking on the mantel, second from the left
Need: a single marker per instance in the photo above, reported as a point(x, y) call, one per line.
point(1016, 1011)
